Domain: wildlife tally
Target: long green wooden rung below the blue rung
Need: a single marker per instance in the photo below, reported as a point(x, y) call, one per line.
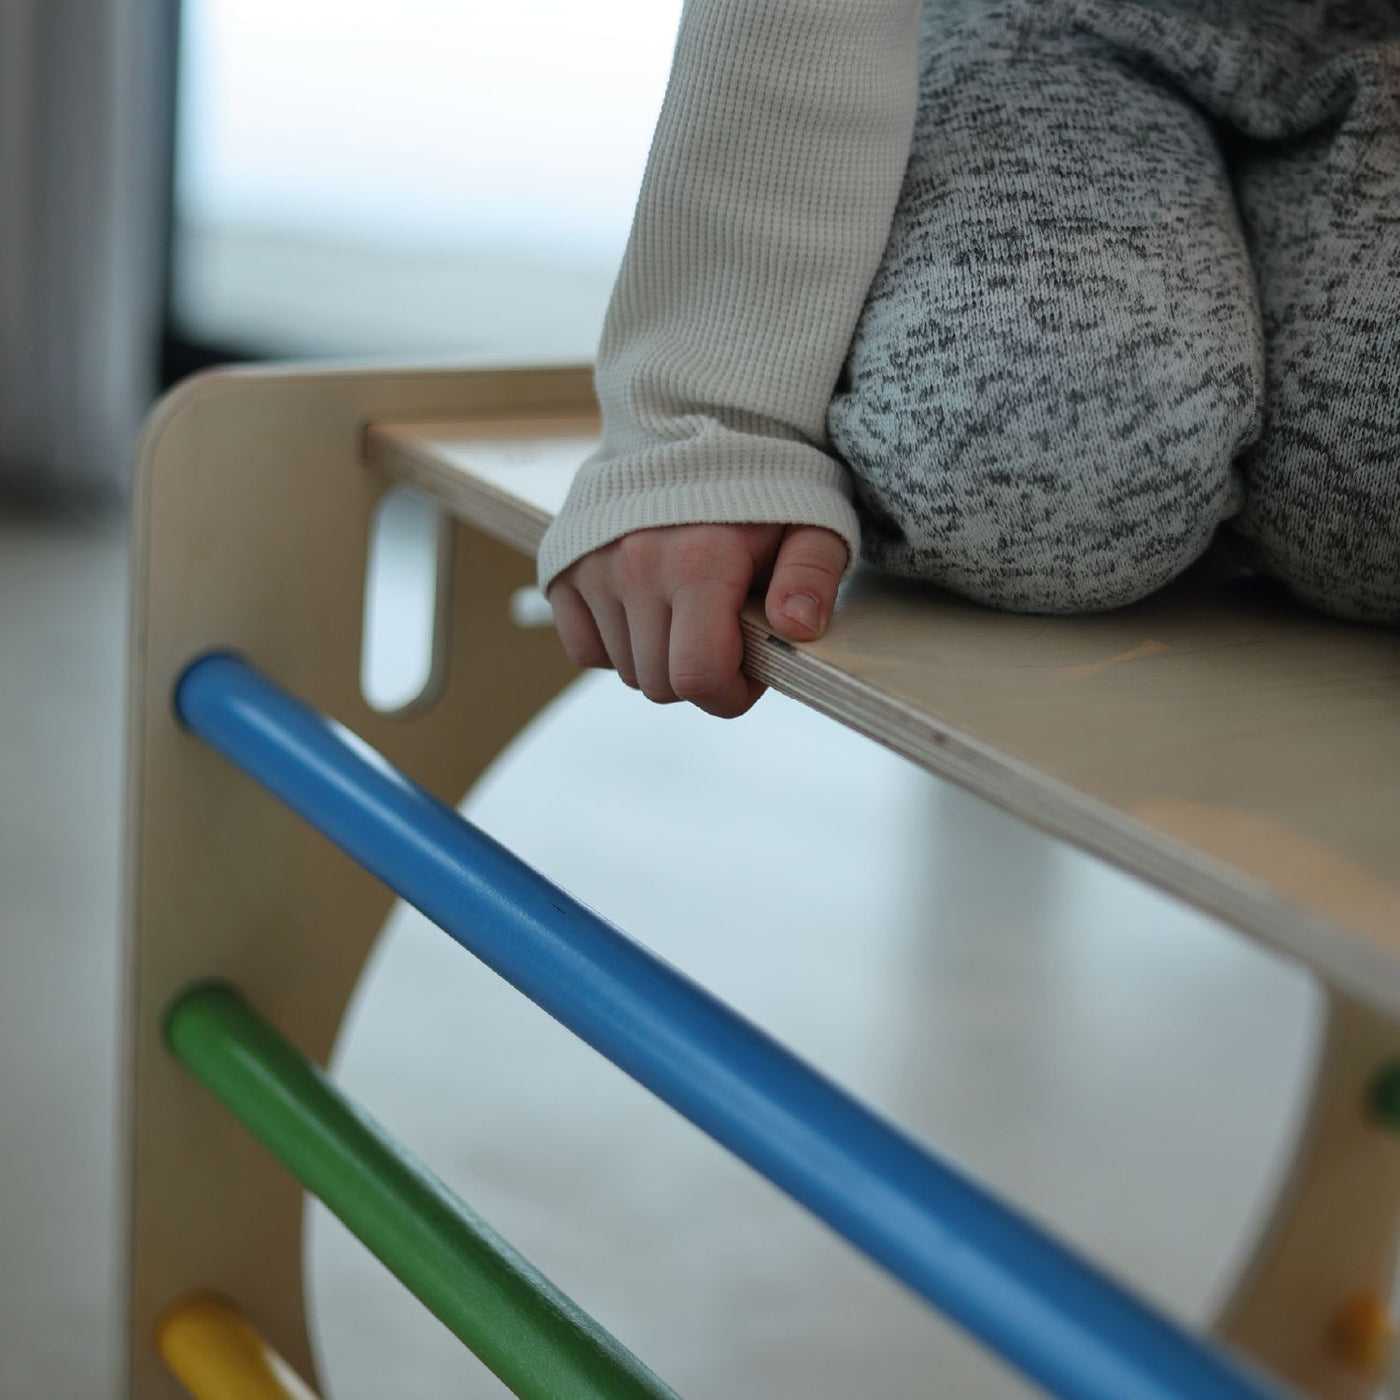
point(533, 1336)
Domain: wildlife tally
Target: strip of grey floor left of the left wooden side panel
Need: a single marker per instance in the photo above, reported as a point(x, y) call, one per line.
point(62, 653)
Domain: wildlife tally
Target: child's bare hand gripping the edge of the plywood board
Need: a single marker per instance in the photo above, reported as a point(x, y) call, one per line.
point(663, 605)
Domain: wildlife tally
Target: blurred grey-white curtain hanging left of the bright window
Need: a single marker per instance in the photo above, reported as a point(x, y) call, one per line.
point(85, 134)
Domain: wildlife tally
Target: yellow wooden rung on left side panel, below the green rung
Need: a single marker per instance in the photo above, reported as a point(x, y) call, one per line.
point(216, 1354)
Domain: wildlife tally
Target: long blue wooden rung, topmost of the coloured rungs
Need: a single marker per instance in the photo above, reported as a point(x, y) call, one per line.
point(1048, 1312)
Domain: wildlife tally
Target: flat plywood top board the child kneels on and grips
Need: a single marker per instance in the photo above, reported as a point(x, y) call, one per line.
point(1217, 740)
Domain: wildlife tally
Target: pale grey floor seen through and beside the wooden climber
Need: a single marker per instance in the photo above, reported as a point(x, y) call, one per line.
point(1119, 1066)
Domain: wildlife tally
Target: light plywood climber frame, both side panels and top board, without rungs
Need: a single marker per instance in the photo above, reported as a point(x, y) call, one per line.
point(1217, 741)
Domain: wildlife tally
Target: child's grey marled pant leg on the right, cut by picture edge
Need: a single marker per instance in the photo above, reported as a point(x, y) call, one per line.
point(1319, 195)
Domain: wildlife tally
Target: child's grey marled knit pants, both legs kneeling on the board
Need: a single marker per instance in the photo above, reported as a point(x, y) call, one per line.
point(1143, 286)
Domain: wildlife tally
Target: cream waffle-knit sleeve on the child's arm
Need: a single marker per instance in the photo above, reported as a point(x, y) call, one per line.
point(762, 219)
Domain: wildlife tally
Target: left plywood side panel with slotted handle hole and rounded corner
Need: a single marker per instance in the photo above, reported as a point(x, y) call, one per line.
point(253, 519)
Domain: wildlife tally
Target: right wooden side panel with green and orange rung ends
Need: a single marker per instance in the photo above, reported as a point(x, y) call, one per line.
point(1333, 1235)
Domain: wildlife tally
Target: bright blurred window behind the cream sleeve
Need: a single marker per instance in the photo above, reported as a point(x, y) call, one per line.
point(419, 178)
